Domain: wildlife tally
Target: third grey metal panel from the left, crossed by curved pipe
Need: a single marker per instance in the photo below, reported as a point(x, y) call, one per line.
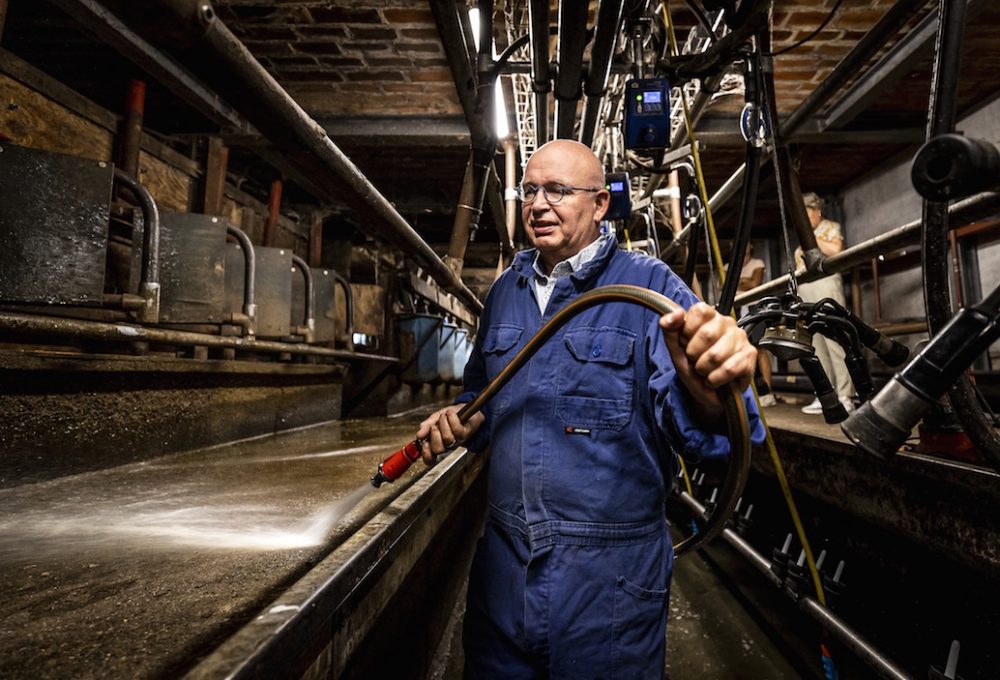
point(274, 288)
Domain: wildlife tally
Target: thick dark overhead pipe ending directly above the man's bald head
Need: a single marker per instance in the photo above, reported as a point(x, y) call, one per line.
point(572, 42)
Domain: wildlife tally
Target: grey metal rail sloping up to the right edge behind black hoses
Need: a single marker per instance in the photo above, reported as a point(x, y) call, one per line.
point(965, 211)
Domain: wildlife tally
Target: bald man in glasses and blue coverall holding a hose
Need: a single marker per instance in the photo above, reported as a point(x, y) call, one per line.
point(571, 578)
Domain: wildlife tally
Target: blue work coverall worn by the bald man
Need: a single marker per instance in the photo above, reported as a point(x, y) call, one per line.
point(571, 578)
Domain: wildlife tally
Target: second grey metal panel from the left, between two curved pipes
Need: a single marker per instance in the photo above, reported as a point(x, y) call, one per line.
point(192, 268)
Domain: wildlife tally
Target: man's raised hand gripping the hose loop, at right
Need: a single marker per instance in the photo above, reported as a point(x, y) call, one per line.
point(709, 351)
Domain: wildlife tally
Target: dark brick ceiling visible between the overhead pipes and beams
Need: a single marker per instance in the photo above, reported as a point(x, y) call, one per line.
point(374, 73)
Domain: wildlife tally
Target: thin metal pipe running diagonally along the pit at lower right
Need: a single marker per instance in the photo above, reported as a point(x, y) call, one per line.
point(837, 627)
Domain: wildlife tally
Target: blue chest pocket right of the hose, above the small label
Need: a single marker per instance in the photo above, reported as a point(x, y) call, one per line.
point(595, 387)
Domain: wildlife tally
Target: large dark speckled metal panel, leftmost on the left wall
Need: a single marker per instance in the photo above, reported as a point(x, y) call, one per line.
point(54, 212)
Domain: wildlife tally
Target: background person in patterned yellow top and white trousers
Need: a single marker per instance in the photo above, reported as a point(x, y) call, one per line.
point(830, 354)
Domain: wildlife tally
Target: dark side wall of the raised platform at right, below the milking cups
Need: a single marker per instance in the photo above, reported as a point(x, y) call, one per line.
point(950, 507)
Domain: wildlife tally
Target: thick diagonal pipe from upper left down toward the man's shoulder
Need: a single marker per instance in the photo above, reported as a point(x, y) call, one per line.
point(198, 37)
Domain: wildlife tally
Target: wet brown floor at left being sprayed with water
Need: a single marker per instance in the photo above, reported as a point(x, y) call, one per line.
point(138, 571)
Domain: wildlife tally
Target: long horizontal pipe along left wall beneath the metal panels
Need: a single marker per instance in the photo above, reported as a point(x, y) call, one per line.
point(11, 323)
